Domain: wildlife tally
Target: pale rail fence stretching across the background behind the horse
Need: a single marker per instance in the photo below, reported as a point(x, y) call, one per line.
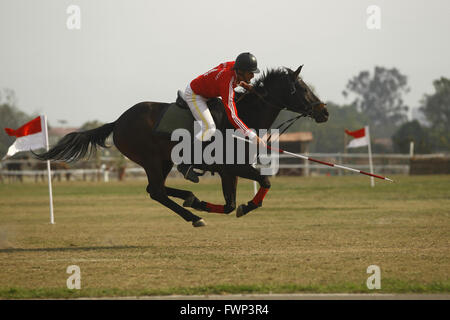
point(288, 165)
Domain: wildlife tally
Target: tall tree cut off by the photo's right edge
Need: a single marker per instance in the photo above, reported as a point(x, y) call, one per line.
point(436, 108)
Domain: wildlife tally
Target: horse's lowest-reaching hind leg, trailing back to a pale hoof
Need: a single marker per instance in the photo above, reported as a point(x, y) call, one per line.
point(157, 192)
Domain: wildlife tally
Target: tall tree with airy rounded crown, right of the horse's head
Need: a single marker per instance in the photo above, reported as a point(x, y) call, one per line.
point(380, 97)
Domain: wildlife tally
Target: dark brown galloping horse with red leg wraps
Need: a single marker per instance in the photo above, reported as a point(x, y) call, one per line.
point(133, 135)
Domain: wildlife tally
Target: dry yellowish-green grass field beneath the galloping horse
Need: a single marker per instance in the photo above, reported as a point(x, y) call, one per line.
point(316, 234)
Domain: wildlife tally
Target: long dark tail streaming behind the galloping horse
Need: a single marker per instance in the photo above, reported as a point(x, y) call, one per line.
point(76, 145)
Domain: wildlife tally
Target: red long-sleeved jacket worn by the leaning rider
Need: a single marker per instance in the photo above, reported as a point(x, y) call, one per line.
point(220, 82)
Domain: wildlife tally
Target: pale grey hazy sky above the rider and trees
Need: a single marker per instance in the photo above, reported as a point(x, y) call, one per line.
point(134, 50)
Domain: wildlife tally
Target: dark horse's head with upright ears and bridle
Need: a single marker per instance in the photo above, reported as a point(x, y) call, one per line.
point(301, 99)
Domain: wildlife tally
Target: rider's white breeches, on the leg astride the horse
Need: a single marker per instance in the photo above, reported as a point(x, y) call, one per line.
point(201, 113)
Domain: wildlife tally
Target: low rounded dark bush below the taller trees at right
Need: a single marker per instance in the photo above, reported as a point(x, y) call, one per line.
point(411, 131)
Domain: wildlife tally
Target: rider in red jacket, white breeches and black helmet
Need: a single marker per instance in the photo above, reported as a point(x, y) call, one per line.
point(219, 82)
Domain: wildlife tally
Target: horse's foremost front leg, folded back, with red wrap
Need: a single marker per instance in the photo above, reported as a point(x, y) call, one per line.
point(249, 172)
